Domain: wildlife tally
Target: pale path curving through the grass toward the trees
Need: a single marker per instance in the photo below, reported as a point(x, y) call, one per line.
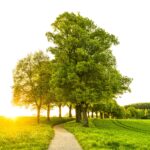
point(63, 140)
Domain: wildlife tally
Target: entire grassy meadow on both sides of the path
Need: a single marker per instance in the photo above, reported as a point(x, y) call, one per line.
point(23, 133)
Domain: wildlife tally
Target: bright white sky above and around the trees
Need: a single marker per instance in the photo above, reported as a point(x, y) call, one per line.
point(23, 24)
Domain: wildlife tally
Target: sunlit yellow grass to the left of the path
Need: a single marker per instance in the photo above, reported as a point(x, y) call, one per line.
point(25, 134)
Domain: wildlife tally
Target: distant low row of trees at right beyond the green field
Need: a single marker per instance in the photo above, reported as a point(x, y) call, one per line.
point(112, 110)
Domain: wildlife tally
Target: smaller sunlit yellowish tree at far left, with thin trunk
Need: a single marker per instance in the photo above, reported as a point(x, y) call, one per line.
point(31, 81)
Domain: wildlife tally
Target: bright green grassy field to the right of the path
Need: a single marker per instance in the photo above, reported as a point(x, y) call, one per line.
point(112, 134)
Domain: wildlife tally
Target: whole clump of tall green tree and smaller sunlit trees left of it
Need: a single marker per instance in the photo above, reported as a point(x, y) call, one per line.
point(83, 72)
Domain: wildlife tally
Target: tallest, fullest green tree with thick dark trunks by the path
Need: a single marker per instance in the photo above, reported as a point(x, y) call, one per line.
point(86, 69)
